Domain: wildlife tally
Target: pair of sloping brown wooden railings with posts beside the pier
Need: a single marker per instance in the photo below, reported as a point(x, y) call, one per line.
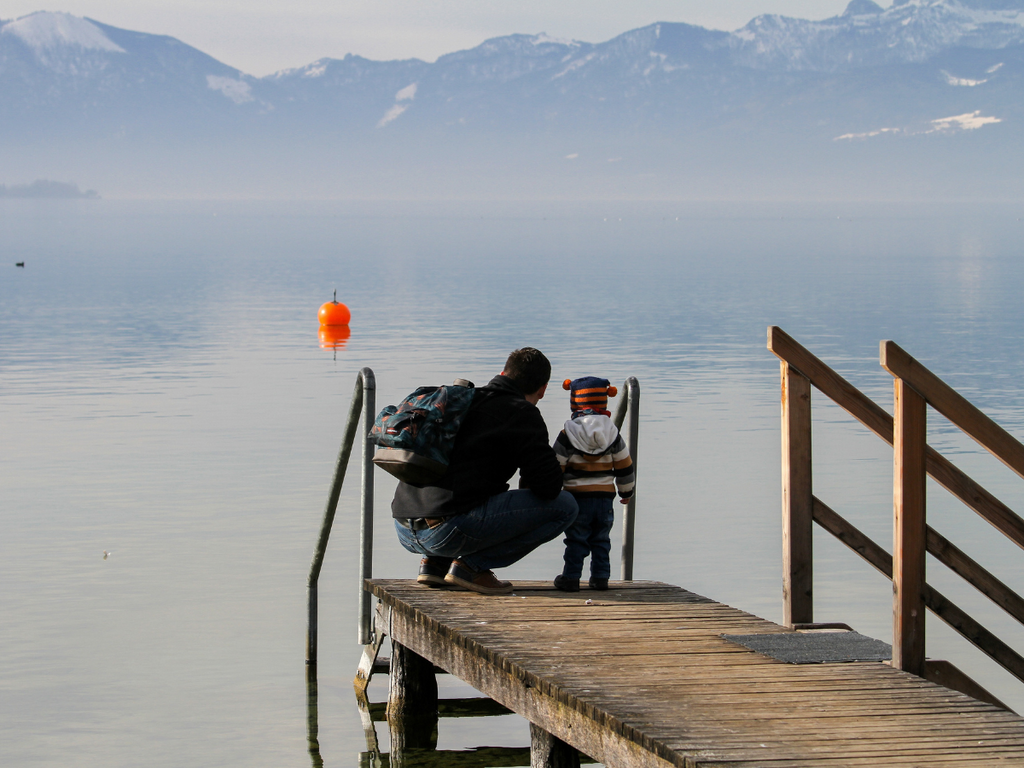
point(916, 388)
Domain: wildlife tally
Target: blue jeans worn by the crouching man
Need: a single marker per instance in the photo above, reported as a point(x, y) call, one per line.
point(500, 532)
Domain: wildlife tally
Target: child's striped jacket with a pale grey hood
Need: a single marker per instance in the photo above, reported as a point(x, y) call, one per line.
point(594, 457)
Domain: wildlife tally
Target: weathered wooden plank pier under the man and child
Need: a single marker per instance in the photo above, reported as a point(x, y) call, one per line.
point(642, 676)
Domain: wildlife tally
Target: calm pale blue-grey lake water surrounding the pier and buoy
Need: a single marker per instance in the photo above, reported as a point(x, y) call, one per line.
point(165, 399)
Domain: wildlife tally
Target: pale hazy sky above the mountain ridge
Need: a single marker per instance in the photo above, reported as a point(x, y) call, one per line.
point(264, 36)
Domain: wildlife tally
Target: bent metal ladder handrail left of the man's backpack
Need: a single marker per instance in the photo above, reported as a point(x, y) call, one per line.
point(364, 400)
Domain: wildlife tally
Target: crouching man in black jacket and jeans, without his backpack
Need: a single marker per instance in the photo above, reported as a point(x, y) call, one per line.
point(470, 523)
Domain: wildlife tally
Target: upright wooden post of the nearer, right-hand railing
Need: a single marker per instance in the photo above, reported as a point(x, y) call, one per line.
point(910, 529)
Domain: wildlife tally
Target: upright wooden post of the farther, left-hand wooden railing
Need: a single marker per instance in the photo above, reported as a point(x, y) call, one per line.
point(798, 500)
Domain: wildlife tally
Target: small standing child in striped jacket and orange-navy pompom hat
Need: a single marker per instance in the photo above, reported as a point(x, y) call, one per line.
point(594, 460)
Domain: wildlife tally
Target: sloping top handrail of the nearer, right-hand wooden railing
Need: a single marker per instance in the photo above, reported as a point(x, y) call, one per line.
point(954, 406)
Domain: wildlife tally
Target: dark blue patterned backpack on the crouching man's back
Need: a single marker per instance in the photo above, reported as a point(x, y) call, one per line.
point(415, 439)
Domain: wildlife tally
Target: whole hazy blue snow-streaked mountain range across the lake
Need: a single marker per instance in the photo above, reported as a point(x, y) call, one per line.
point(787, 89)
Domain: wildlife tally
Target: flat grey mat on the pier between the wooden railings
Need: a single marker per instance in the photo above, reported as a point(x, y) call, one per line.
point(816, 648)
